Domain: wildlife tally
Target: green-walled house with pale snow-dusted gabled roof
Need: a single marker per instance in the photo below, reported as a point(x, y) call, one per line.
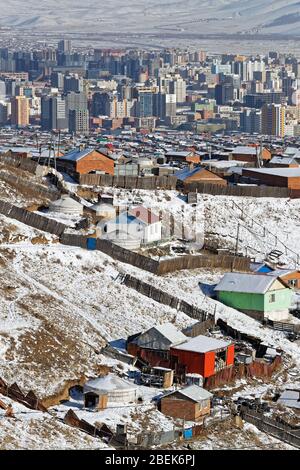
point(260, 296)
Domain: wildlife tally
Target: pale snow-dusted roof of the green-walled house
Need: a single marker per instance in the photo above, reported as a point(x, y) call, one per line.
point(248, 283)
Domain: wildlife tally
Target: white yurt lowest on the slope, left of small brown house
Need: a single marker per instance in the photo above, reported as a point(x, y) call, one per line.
point(118, 390)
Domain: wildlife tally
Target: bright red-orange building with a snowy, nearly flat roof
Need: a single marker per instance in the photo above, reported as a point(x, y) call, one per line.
point(203, 355)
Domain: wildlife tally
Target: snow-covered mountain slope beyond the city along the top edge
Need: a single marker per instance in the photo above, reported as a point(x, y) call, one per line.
point(280, 17)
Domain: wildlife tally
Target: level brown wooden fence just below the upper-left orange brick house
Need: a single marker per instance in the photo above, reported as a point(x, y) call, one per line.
point(129, 182)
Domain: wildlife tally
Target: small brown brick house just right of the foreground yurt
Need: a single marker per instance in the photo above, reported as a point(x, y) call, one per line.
point(191, 403)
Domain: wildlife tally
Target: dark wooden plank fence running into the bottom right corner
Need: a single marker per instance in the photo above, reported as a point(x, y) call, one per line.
point(275, 428)
